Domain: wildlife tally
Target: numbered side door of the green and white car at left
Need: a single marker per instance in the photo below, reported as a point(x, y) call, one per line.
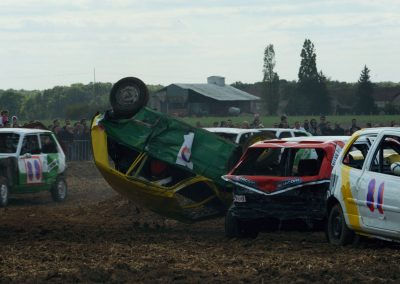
point(30, 164)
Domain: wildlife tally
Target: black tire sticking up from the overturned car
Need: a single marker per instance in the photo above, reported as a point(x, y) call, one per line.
point(127, 97)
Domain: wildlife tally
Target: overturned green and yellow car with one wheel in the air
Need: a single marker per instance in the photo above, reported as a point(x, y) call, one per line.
point(159, 162)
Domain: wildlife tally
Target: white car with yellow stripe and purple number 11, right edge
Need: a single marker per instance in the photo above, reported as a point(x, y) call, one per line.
point(364, 195)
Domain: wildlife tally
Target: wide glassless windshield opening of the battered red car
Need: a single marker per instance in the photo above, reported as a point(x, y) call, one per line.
point(281, 162)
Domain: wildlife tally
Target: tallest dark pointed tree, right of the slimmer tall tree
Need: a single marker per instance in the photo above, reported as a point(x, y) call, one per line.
point(312, 96)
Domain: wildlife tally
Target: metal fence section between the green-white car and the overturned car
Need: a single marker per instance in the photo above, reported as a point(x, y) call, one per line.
point(77, 150)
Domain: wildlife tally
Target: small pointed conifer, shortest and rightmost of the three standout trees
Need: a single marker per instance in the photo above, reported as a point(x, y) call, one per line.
point(365, 102)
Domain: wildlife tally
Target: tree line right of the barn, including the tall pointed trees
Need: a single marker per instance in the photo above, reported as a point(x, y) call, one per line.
point(313, 92)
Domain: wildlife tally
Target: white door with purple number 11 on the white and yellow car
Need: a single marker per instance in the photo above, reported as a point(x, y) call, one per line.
point(378, 189)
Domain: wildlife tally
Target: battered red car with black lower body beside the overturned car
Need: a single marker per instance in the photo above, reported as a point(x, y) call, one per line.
point(280, 180)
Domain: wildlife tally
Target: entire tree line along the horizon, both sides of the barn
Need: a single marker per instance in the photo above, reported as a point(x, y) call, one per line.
point(313, 93)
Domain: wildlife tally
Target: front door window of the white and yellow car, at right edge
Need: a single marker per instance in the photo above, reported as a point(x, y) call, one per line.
point(387, 153)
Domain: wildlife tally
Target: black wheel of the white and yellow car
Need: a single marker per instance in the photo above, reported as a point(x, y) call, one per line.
point(337, 231)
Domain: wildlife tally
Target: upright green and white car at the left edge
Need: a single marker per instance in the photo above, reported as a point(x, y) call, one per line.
point(31, 160)
